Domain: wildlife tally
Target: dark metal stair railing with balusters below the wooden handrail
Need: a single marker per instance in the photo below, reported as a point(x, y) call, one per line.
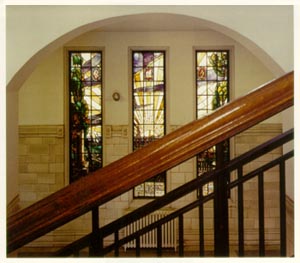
point(235, 165)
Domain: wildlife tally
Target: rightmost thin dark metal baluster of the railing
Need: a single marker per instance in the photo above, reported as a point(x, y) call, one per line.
point(282, 211)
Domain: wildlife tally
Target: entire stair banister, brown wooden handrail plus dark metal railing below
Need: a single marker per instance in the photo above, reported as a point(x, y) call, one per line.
point(90, 192)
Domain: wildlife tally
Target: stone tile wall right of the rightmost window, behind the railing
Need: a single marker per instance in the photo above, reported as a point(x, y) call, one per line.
point(246, 141)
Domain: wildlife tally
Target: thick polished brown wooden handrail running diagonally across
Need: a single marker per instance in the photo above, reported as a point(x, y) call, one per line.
point(133, 169)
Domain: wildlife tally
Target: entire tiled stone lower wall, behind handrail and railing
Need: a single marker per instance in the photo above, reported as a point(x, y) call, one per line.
point(41, 153)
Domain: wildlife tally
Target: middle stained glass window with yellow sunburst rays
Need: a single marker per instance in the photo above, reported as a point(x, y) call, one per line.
point(148, 85)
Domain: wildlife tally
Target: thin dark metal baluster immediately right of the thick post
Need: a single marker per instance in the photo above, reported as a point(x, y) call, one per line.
point(241, 213)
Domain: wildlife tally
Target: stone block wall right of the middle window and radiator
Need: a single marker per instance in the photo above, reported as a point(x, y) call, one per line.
point(240, 144)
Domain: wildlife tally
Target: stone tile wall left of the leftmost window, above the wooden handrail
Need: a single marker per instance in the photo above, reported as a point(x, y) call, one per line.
point(41, 162)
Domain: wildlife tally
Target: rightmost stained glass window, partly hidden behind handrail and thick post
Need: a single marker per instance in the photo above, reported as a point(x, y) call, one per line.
point(212, 84)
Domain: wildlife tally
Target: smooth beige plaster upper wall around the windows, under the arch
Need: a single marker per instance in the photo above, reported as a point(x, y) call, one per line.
point(42, 95)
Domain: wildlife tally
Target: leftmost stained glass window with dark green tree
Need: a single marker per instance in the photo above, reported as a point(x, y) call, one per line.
point(85, 107)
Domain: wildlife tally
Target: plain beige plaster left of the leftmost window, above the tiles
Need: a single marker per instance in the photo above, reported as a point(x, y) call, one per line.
point(42, 94)
